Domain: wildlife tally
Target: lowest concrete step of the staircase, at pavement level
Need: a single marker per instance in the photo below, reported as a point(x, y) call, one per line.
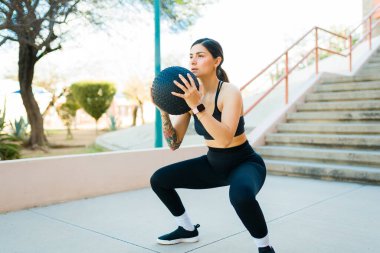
point(324, 171)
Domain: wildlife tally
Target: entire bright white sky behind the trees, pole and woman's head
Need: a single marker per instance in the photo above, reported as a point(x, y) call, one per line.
point(251, 32)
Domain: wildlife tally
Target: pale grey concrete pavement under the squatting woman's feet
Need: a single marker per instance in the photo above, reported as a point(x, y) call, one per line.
point(303, 215)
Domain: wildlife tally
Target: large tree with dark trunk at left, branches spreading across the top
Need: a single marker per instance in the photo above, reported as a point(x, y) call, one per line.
point(39, 27)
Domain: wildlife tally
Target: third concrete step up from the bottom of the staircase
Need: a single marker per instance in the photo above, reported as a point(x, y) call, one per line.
point(324, 140)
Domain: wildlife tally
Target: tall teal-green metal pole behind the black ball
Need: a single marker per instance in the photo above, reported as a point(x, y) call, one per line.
point(157, 68)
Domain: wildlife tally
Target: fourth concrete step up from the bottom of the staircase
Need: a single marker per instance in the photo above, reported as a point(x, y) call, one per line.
point(332, 128)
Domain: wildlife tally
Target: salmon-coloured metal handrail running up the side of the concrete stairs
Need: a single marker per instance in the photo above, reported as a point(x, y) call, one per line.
point(315, 49)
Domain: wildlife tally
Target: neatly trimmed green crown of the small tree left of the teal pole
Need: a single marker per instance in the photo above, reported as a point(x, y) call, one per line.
point(94, 97)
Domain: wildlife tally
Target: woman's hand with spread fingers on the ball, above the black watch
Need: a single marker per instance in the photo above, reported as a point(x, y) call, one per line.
point(191, 95)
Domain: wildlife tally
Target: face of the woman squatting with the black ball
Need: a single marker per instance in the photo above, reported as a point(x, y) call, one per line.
point(201, 61)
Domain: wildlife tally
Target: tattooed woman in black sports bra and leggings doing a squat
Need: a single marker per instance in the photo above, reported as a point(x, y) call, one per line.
point(217, 108)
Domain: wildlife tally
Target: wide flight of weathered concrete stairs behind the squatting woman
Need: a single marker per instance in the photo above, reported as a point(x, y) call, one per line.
point(335, 134)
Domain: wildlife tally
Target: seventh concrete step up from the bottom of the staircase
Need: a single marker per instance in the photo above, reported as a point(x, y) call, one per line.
point(343, 95)
